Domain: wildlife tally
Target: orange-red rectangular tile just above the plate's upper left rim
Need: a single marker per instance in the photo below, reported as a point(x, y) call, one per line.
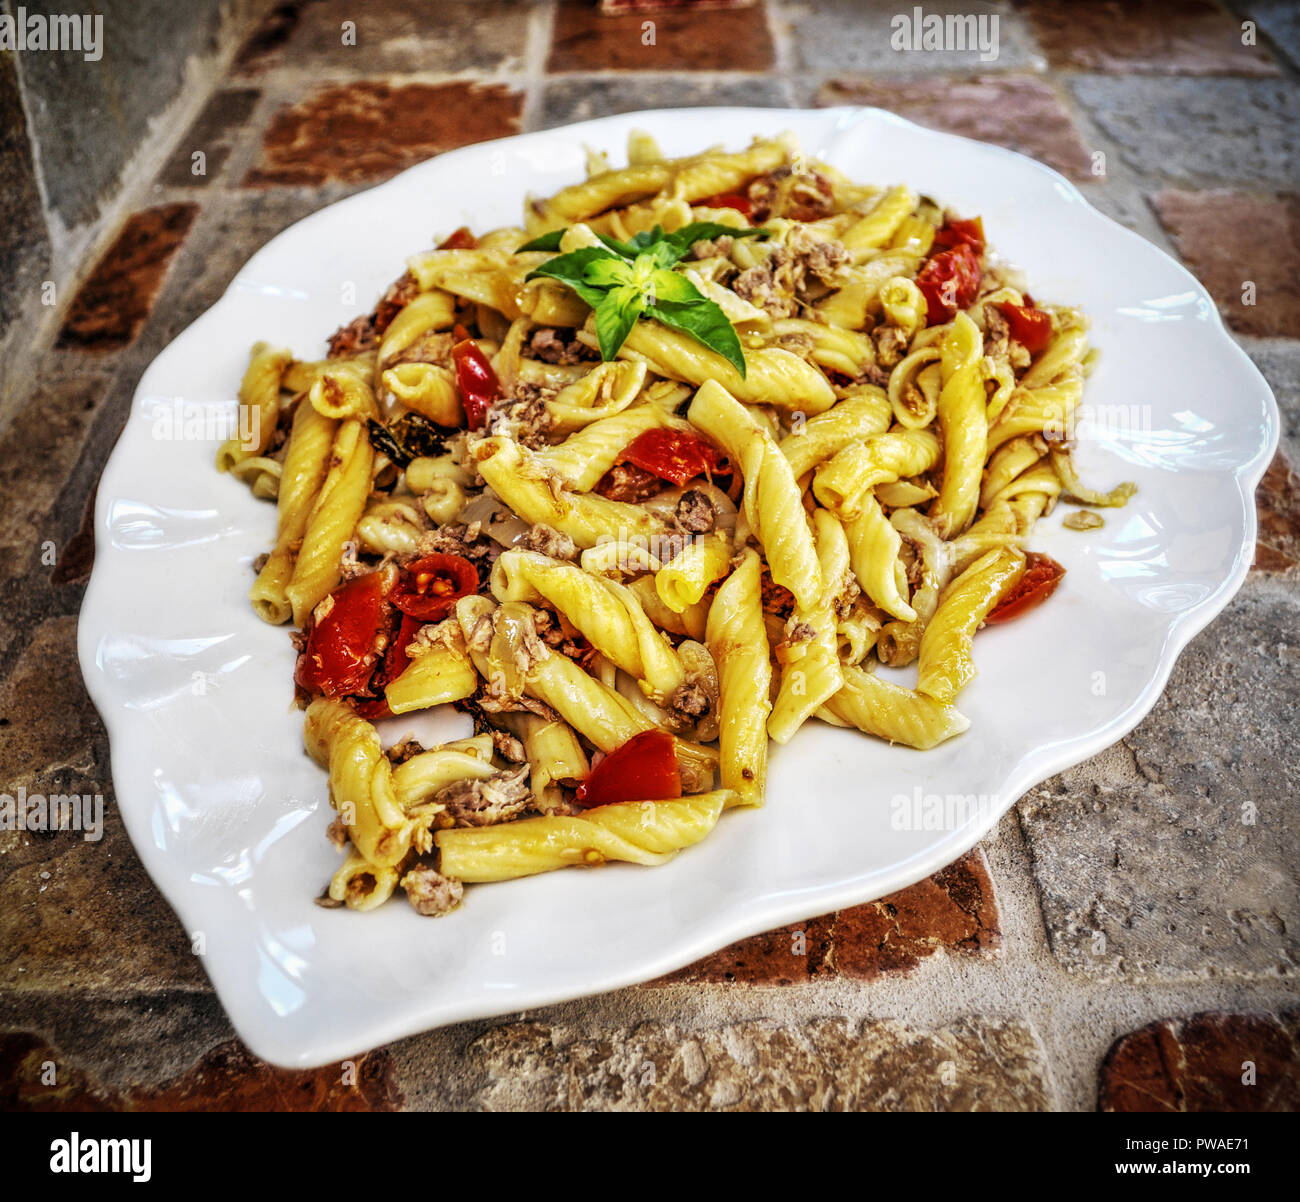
point(371, 131)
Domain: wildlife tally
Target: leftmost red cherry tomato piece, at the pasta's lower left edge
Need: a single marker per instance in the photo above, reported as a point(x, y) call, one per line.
point(341, 652)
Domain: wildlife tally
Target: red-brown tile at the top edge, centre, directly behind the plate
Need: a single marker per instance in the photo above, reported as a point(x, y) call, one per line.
point(703, 41)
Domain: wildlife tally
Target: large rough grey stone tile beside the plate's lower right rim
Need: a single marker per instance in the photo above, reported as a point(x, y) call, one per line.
point(1190, 874)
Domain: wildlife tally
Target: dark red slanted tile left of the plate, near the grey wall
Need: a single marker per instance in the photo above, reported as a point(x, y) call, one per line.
point(115, 302)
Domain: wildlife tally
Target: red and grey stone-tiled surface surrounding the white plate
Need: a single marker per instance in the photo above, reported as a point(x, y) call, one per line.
point(1125, 940)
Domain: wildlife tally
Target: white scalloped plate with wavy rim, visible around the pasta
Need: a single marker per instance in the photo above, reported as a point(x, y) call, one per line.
point(229, 815)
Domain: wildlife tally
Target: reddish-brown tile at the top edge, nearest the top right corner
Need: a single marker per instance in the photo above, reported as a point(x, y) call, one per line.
point(1172, 38)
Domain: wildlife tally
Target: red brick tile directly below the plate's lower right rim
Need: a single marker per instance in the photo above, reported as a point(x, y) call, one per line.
point(952, 910)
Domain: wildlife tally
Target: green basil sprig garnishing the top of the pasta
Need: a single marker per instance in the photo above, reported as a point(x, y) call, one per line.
point(623, 281)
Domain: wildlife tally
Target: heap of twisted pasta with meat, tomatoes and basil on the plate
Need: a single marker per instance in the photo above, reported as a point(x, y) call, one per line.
point(644, 485)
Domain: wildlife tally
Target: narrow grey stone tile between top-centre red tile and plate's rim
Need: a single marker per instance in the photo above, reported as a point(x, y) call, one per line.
point(580, 99)
